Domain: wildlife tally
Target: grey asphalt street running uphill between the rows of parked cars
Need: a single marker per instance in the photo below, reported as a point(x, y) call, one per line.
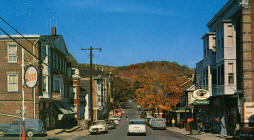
point(120, 133)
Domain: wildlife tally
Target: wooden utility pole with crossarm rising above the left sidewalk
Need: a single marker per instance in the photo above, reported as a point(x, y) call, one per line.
point(91, 77)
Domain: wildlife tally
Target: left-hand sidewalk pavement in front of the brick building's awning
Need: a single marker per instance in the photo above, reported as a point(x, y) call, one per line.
point(75, 131)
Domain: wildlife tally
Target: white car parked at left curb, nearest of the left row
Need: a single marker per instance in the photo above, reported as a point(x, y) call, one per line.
point(98, 127)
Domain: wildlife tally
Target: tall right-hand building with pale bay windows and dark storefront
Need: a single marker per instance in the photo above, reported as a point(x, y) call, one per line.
point(226, 69)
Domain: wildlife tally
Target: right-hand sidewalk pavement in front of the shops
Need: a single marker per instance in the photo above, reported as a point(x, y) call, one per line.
point(203, 136)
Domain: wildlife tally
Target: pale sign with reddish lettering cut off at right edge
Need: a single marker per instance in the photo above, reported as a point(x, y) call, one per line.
point(248, 112)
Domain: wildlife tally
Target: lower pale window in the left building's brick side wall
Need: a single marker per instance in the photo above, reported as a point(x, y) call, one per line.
point(12, 82)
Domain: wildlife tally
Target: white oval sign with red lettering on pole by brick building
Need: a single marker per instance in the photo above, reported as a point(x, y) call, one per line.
point(31, 76)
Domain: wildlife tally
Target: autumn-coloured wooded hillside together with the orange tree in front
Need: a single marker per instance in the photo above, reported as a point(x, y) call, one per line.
point(156, 85)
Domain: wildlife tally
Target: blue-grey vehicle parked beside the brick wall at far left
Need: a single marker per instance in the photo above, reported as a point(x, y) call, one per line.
point(32, 127)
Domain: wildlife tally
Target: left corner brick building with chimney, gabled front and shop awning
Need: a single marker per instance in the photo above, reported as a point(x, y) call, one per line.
point(49, 99)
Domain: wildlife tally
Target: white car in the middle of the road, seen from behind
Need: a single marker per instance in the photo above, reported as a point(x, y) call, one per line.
point(136, 127)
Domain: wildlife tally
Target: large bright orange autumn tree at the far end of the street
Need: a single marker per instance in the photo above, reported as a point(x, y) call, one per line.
point(158, 90)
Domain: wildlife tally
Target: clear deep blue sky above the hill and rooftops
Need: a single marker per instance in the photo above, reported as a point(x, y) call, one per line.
point(128, 31)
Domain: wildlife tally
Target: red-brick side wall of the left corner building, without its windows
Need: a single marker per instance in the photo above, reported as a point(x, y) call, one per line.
point(11, 101)
